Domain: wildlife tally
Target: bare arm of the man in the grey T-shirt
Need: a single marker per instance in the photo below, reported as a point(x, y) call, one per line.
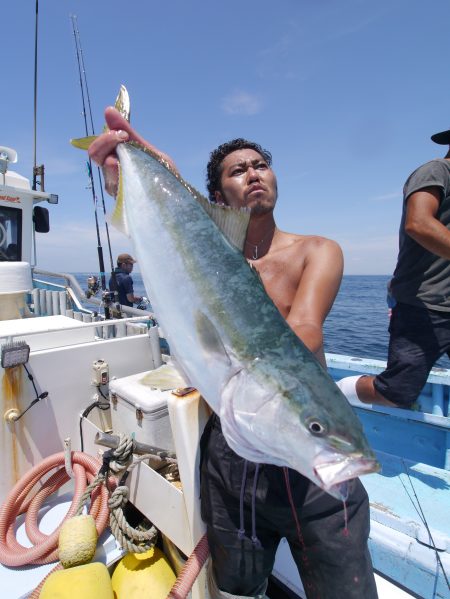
point(422, 225)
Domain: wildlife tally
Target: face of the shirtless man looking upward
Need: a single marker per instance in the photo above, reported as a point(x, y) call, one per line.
point(247, 181)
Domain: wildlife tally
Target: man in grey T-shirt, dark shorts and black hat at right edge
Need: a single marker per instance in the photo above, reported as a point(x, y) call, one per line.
point(420, 288)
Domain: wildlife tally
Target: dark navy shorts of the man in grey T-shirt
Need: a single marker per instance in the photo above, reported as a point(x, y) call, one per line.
point(418, 338)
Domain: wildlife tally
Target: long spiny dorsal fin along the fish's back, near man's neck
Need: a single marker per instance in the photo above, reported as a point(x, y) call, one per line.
point(232, 222)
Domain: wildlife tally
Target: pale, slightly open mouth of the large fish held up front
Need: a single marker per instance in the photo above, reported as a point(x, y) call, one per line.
point(334, 473)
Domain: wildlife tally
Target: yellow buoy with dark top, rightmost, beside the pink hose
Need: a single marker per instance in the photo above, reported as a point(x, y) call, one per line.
point(143, 576)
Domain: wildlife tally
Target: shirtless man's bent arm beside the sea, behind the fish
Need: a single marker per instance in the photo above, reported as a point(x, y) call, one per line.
point(316, 292)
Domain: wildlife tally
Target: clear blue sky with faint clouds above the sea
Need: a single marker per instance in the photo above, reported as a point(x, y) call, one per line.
point(344, 93)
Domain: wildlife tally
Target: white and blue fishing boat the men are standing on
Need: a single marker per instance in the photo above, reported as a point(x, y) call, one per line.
point(78, 377)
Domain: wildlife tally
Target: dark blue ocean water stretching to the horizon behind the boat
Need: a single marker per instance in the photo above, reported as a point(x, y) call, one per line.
point(357, 324)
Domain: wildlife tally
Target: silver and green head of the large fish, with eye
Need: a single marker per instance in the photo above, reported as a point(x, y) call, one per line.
point(310, 428)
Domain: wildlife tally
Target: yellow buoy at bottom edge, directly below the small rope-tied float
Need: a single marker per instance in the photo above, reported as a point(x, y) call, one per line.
point(90, 581)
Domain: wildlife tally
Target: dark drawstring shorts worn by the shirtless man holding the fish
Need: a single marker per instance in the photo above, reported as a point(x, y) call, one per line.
point(332, 554)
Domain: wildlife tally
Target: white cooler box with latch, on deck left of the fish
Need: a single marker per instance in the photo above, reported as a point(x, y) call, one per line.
point(139, 409)
